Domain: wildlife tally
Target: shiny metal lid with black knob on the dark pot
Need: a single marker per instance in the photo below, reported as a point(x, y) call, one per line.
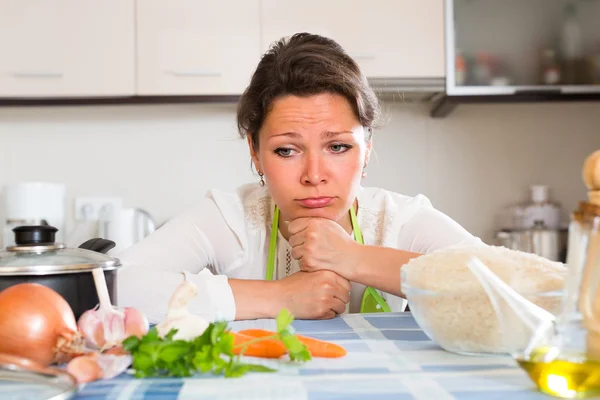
point(36, 253)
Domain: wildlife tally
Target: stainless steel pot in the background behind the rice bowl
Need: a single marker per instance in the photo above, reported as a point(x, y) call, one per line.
point(548, 243)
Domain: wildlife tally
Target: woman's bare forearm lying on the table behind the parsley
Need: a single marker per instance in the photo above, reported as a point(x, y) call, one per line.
point(255, 298)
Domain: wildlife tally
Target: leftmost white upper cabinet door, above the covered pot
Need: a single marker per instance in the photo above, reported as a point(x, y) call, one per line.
point(67, 48)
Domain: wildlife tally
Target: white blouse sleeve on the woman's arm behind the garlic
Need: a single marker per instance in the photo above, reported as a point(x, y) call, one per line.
point(198, 243)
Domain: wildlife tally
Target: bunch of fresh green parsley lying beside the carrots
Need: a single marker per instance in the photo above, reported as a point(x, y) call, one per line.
point(212, 352)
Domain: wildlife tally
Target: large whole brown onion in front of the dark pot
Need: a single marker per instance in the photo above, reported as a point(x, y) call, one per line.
point(36, 323)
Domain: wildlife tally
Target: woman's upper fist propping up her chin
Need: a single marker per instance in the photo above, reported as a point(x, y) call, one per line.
point(322, 244)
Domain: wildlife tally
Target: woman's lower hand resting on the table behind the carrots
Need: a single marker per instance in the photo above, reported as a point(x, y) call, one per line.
point(314, 295)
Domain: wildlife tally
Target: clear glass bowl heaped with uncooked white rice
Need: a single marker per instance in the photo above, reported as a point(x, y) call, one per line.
point(451, 306)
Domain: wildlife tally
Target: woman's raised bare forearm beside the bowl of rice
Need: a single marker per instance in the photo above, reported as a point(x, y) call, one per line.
point(379, 267)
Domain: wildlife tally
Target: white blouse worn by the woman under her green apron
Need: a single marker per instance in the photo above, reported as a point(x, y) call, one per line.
point(227, 236)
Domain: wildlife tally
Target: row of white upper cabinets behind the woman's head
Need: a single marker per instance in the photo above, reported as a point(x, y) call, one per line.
point(121, 48)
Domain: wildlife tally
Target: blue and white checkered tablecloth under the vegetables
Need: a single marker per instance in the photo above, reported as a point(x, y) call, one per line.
point(389, 357)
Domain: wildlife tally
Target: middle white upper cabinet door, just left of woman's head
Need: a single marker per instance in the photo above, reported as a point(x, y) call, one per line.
point(196, 47)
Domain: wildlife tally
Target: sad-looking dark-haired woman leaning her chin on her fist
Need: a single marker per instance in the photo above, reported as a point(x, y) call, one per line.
point(307, 236)
